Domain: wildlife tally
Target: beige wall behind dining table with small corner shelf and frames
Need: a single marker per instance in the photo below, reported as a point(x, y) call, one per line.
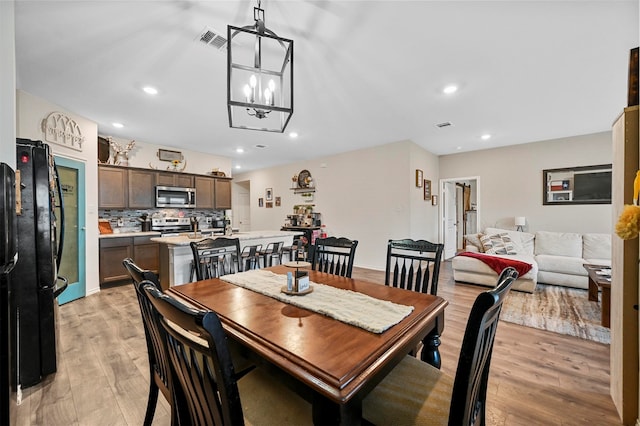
point(368, 195)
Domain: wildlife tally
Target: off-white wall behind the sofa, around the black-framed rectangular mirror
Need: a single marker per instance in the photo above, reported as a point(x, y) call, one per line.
point(511, 182)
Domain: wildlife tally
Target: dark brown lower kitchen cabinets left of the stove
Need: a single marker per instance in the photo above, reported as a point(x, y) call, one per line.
point(113, 250)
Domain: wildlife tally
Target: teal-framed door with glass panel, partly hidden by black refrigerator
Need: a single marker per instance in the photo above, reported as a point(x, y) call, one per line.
point(72, 266)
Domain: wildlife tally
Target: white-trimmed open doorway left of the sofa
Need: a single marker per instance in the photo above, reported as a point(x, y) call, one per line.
point(459, 210)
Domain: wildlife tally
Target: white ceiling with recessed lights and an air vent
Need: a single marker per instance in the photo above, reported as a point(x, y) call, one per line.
point(366, 72)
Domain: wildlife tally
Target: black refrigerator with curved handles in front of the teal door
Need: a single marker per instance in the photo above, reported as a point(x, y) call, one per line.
point(34, 282)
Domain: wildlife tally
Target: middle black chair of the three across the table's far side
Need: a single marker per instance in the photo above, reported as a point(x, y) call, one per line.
point(334, 255)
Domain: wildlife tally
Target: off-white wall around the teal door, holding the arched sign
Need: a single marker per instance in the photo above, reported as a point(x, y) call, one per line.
point(31, 110)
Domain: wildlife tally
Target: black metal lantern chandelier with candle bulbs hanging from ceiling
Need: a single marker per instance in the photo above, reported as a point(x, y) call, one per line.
point(259, 77)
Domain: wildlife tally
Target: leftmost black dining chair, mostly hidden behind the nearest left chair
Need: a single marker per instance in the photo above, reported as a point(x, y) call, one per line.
point(159, 377)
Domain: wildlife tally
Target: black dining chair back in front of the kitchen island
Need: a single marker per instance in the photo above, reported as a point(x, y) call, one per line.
point(213, 258)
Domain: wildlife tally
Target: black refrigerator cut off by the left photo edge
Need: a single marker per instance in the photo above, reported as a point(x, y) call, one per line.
point(8, 257)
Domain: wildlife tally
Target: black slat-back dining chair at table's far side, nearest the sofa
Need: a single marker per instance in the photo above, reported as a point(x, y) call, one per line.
point(413, 265)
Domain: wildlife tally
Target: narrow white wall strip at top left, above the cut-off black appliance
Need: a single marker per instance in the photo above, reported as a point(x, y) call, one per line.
point(7, 84)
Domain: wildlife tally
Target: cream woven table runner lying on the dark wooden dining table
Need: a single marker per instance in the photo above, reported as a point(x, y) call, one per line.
point(348, 306)
